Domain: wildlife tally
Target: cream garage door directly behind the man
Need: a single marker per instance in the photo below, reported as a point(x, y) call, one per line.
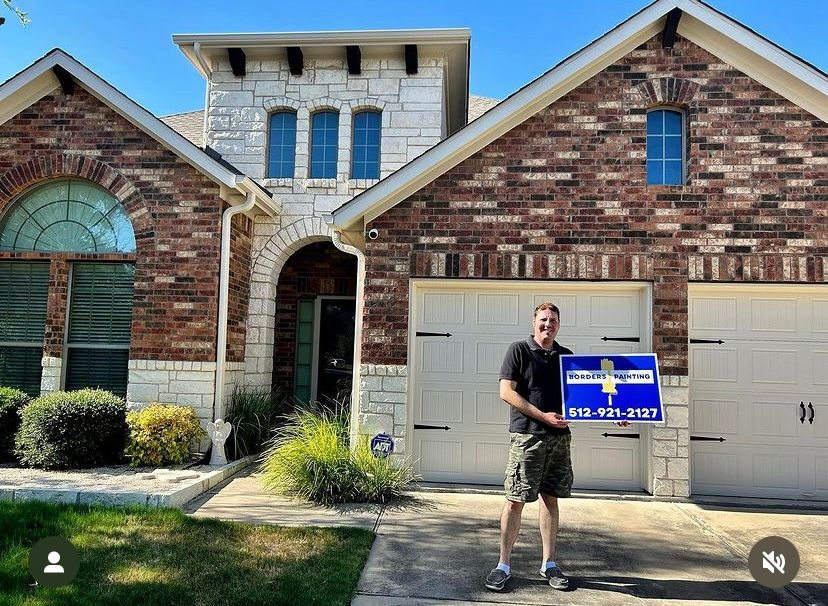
point(454, 380)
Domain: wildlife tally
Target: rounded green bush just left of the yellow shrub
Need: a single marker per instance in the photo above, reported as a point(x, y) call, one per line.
point(69, 429)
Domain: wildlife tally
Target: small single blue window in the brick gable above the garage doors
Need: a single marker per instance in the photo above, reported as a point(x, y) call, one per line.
point(665, 147)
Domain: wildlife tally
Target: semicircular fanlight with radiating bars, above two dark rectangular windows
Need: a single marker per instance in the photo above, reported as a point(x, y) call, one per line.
point(67, 216)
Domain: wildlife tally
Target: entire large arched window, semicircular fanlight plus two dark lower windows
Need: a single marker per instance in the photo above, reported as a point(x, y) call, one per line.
point(74, 216)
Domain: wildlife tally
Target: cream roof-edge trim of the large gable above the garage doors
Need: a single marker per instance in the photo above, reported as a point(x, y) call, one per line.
point(741, 47)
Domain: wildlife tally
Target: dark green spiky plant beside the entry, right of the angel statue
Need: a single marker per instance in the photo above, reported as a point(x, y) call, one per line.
point(254, 413)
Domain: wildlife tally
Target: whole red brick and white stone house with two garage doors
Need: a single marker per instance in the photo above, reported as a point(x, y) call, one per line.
point(664, 185)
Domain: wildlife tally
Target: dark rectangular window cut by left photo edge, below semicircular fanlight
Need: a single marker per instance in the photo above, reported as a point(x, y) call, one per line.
point(24, 289)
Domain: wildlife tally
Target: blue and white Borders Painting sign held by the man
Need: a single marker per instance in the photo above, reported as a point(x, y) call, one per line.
point(611, 388)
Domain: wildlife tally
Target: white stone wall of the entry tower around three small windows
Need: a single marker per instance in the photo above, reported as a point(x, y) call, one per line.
point(413, 120)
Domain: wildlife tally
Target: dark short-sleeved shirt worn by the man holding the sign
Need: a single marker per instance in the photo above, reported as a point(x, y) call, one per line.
point(537, 373)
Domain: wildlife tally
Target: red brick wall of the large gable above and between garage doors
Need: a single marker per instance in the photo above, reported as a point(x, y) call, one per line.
point(564, 196)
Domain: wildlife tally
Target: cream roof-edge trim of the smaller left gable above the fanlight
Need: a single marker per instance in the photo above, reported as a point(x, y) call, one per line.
point(39, 79)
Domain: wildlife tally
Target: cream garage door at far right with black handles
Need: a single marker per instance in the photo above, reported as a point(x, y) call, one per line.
point(764, 389)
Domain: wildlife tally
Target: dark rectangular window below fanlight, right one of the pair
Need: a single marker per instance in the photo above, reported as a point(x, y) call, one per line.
point(100, 321)
